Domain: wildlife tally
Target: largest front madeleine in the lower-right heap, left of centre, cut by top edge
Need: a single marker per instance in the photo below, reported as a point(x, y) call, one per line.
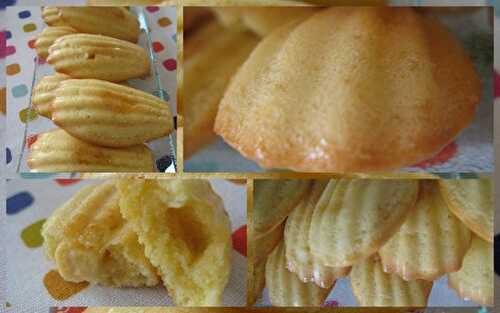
point(354, 218)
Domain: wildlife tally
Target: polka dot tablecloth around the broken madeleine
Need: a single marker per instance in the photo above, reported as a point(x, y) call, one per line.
point(31, 282)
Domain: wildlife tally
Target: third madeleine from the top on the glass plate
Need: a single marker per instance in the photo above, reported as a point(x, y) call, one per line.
point(108, 114)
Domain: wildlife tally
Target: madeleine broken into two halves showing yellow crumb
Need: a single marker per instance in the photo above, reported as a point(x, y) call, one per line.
point(137, 233)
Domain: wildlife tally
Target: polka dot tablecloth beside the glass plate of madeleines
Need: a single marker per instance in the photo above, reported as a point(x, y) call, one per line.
point(23, 25)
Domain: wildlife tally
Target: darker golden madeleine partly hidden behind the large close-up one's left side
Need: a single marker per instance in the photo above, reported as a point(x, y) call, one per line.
point(212, 55)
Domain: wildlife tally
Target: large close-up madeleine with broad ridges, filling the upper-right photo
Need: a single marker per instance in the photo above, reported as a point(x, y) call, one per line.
point(336, 92)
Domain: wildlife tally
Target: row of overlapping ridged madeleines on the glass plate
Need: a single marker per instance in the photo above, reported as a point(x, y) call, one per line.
point(103, 122)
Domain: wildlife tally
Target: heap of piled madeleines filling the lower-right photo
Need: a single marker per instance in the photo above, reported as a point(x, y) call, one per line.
point(393, 238)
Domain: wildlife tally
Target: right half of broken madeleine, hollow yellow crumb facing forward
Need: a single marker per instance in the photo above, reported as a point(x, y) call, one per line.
point(186, 234)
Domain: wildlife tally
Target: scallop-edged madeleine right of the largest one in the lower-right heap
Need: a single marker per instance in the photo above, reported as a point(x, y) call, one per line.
point(431, 242)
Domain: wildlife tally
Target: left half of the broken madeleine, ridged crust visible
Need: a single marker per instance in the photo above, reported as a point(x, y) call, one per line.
point(89, 240)
